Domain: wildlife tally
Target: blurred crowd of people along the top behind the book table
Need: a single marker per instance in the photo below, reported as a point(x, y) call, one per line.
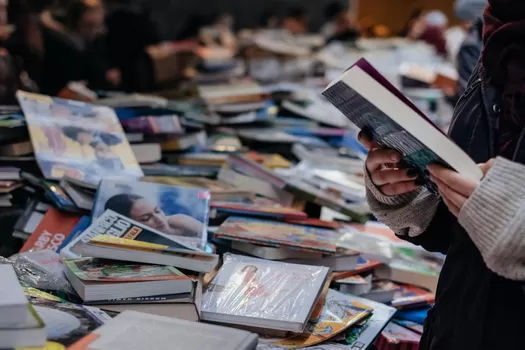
point(107, 45)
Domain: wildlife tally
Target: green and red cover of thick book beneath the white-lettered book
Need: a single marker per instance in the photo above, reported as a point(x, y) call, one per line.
point(99, 270)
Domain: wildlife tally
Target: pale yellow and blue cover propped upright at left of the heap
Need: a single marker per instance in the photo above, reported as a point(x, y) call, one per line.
point(77, 139)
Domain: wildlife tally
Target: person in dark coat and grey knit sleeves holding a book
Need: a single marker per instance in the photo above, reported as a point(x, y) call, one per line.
point(479, 225)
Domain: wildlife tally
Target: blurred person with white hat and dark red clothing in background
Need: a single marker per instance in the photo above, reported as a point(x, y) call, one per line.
point(430, 28)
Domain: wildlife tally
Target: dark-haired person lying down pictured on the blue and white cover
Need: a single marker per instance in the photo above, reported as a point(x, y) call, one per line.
point(140, 209)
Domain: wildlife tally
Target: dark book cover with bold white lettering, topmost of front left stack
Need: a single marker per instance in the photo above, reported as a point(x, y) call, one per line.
point(116, 225)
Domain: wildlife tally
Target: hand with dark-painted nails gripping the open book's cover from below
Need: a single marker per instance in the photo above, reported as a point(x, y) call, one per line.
point(383, 166)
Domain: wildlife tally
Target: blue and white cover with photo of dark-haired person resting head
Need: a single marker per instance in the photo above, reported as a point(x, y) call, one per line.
point(181, 212)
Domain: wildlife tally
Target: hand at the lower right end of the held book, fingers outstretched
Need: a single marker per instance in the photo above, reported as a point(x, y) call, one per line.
point(454, 188)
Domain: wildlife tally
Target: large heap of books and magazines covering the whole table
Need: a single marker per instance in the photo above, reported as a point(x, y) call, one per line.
point(234, 219)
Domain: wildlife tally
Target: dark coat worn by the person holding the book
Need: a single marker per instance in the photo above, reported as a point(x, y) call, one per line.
point(475, 308)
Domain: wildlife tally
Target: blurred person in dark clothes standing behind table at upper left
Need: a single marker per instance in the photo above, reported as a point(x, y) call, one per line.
point(75, 49)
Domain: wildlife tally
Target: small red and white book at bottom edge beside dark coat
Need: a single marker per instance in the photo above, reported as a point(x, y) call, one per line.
point(395, 337)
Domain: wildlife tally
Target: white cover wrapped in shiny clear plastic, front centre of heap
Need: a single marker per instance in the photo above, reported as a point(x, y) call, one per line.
point(262, 289)
